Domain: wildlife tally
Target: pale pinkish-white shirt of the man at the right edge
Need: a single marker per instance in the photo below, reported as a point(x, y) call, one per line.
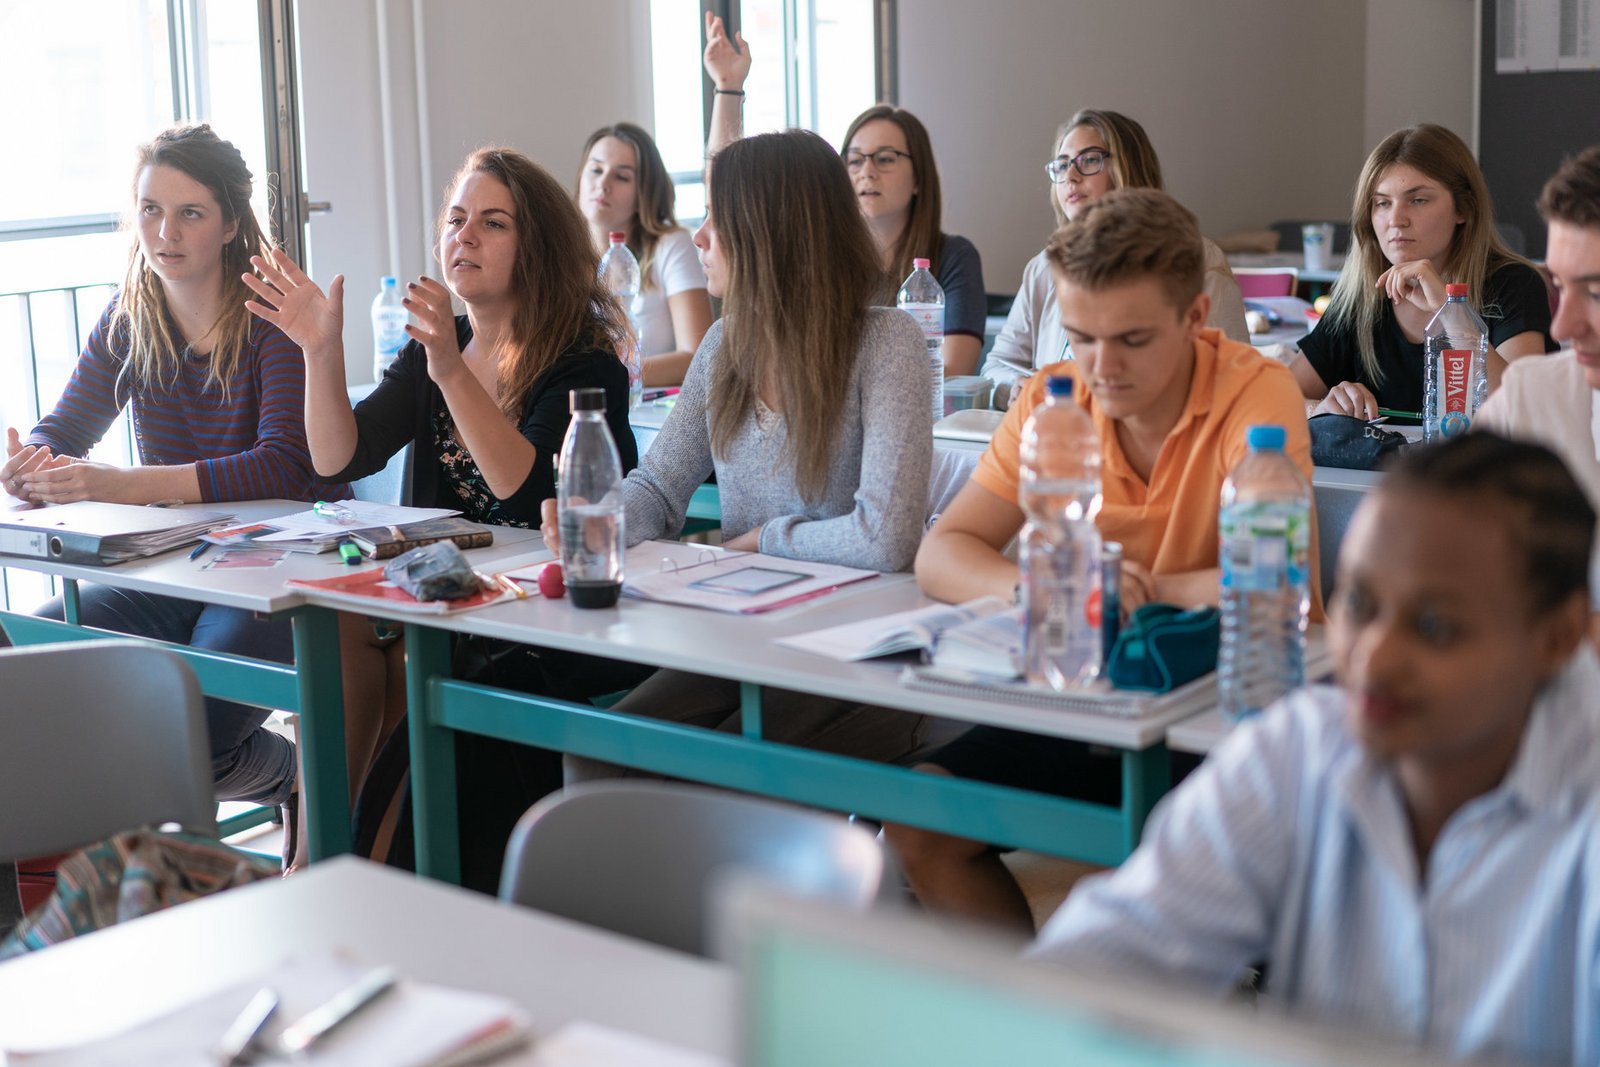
point(1546, 399)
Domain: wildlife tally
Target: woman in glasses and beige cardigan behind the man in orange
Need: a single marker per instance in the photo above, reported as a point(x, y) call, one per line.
point(1097, 151)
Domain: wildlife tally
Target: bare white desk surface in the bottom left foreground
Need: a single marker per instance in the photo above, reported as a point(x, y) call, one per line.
point(558, 970)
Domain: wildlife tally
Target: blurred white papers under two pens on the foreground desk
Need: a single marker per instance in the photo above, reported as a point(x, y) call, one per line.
point(410, 1026)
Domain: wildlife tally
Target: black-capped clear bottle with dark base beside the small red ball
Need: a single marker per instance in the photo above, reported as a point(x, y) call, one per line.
point(590, 505)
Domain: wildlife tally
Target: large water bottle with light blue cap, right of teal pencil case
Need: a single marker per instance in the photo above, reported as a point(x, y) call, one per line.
point(1265, 548)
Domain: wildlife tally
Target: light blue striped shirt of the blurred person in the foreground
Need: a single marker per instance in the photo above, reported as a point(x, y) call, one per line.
point(1290, 845)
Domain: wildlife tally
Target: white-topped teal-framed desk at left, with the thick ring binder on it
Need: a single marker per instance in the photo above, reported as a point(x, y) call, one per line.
point(310, 687)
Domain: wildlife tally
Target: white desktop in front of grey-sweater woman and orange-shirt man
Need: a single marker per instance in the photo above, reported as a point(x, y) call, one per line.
point(743, 647)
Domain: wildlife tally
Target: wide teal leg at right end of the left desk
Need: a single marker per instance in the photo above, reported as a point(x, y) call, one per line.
point(326, 788)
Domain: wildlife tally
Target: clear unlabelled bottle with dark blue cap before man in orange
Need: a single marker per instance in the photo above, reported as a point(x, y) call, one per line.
point(1060, 545)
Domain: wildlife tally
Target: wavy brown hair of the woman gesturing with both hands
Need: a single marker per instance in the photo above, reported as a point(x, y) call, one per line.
point(561, 302)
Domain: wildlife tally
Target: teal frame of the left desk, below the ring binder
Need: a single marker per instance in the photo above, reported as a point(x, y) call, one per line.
point(310, 687)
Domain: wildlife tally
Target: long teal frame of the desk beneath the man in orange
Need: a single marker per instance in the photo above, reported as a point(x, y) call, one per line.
point(441, 708)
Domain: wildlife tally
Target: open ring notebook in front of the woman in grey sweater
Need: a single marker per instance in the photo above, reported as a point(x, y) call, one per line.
point(670, 572)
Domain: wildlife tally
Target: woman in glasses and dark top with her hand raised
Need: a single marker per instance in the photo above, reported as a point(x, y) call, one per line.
point(897, 183)
